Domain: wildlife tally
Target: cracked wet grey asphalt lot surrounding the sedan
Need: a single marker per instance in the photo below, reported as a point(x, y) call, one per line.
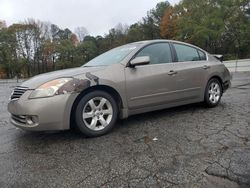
point(188, 146)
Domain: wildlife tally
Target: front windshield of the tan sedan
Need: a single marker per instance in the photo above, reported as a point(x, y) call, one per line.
point(113, 56)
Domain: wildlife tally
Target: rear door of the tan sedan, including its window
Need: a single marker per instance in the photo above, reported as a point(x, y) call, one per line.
point(192, 69)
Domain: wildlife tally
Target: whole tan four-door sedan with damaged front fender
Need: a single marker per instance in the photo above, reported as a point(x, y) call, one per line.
point(131, 79)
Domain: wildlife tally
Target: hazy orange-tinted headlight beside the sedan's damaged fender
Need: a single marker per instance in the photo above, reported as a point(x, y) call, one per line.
point(50, 88)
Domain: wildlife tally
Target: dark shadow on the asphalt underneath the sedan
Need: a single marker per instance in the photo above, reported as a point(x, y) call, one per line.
point(74, 135)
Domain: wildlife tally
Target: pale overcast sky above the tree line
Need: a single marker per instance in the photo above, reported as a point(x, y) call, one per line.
point(97, 16)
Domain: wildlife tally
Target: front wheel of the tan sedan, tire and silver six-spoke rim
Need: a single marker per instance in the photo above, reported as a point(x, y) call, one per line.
point(96, 113)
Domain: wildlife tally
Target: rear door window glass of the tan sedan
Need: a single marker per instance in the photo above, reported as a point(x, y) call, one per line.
point(186, 53)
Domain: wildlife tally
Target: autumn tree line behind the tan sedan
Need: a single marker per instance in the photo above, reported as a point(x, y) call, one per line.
point(218, 26)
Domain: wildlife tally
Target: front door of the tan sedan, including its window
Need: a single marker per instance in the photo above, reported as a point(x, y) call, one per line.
point(153, 84)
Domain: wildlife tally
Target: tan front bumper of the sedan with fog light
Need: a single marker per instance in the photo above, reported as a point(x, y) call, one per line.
point(52, 113)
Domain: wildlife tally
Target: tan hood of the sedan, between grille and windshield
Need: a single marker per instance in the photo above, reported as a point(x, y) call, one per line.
point(38, 80)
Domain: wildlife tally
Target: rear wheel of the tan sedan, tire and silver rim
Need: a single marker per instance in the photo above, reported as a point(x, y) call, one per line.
point(213, 93)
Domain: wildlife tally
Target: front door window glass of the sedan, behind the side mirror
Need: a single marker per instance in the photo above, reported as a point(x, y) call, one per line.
point(158, 53)
